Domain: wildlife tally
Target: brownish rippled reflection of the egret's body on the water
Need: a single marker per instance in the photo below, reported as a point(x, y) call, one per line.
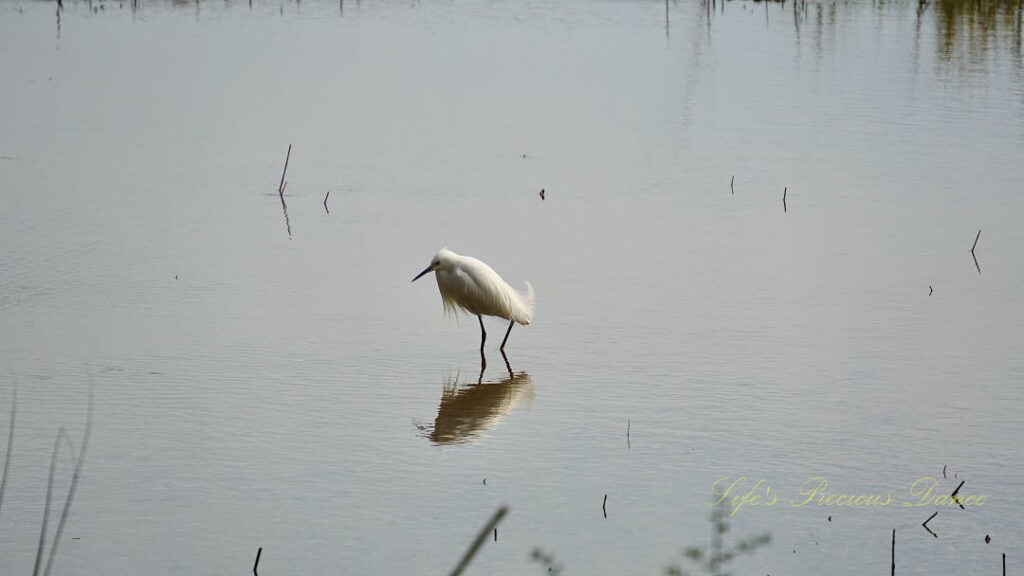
point(471, 409)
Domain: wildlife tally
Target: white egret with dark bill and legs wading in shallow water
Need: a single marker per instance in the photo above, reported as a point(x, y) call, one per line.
point(468, 284)
